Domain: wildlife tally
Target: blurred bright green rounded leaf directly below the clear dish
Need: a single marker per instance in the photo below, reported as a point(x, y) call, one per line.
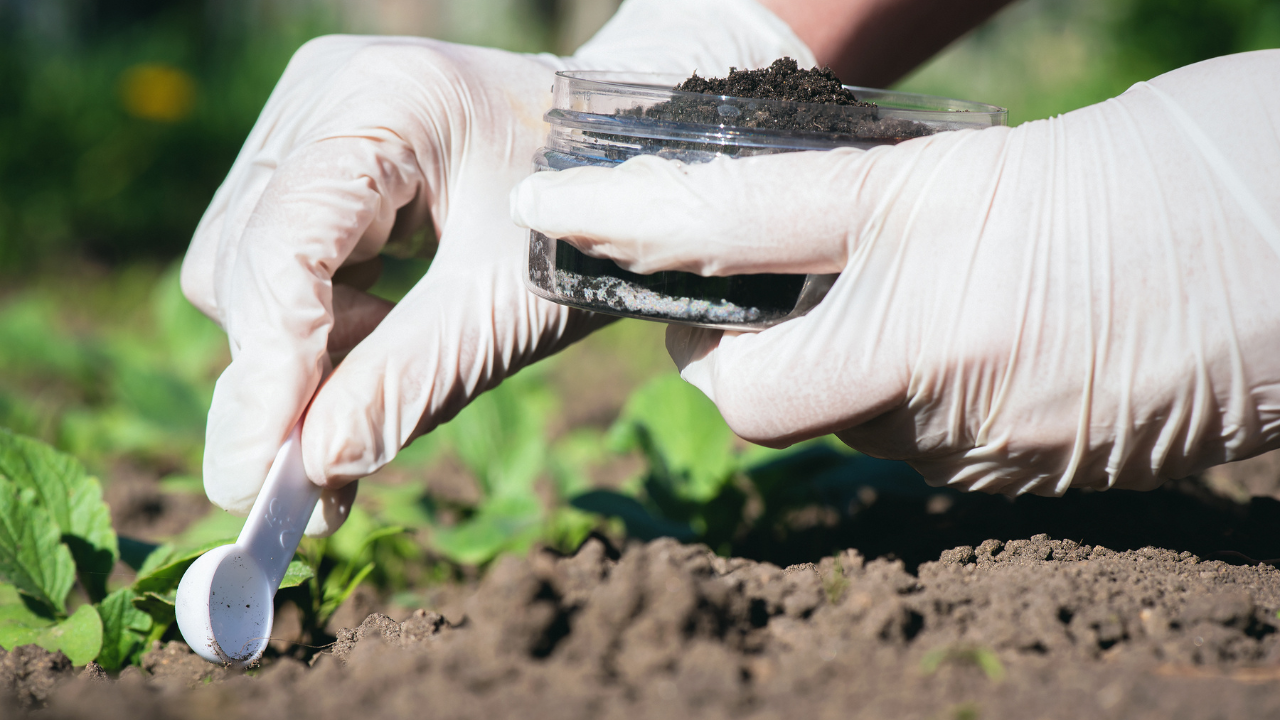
point(689, 445)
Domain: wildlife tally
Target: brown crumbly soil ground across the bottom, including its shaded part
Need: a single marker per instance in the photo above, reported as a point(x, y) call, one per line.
point(1135, 605)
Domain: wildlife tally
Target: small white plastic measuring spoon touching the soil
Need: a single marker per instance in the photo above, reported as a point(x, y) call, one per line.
point(225, 603)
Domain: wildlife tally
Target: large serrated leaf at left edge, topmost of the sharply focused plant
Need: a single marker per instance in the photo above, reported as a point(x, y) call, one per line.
point(74, 500)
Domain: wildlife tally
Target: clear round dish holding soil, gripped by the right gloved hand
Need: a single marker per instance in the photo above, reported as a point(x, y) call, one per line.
point(605, 119)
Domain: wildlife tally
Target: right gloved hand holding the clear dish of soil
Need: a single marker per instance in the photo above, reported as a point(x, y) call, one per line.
point(1090, 300)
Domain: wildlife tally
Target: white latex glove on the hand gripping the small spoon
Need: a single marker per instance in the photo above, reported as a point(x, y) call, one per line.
point(369, 140)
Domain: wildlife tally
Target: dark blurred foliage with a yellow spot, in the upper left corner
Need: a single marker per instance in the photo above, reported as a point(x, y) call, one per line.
point(116, 130)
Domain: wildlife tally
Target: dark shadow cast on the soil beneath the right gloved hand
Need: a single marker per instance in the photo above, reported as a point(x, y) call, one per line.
point(884, 509)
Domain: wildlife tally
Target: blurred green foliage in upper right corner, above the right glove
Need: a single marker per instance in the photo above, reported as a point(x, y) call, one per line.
point(1043, 58)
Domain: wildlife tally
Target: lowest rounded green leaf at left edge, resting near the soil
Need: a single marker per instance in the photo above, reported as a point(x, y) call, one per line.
point(80, 637)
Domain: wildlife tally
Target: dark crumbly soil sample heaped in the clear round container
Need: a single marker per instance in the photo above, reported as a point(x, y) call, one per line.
point(778, 110)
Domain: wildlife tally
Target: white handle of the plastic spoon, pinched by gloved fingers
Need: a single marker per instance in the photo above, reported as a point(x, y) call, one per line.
point(281, 513)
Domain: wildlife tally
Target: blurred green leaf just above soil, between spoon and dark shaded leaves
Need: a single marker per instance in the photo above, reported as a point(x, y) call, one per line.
point(501, 525)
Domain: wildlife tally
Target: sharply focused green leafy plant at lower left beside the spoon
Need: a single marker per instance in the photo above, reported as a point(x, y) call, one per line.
point(57, 555)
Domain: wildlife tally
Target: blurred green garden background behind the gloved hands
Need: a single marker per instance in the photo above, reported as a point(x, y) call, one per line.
point(118, 120)
